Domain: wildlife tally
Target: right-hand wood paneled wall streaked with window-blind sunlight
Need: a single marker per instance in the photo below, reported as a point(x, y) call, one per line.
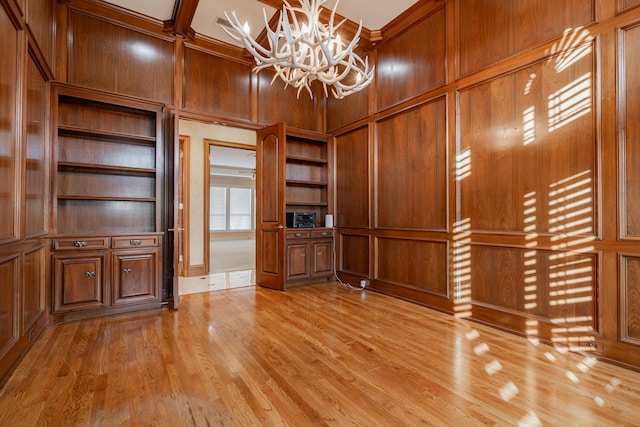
point(501, 165)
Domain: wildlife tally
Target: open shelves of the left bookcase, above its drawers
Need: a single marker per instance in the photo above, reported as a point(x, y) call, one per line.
point(107, 165)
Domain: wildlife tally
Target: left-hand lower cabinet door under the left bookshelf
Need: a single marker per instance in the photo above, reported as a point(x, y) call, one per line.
point(78, 282)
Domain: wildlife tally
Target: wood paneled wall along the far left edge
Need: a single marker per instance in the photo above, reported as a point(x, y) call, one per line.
point(26, 42)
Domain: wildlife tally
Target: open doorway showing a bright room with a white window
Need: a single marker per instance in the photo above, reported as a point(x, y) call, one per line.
point(231, 208)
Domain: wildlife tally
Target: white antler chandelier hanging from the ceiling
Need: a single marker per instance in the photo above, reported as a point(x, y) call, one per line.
point(301, 52)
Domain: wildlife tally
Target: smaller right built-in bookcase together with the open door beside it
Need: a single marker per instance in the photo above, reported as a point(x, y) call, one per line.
point(293, 171)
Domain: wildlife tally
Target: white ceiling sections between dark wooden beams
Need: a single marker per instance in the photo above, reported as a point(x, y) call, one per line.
point(374, 14)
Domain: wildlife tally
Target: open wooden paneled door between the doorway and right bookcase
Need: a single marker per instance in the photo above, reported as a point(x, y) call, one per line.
point(271, 207)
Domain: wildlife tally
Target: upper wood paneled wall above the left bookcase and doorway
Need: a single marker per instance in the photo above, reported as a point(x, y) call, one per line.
point(102, 47)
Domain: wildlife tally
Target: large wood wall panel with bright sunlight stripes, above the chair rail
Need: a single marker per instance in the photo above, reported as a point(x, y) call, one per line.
point(528, 148)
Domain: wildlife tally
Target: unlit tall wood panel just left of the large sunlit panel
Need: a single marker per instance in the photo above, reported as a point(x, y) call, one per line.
point(411, 155)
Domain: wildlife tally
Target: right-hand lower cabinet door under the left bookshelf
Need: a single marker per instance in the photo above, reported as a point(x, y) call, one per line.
point(134, 277)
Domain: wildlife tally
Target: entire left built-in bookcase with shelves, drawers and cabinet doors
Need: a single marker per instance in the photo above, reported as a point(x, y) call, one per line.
point(108, 155)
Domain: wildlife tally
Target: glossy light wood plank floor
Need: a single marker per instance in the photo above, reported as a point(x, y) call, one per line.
point(315, 355)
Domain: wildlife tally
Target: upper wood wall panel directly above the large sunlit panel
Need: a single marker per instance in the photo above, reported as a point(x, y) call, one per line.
point(492, 31)
